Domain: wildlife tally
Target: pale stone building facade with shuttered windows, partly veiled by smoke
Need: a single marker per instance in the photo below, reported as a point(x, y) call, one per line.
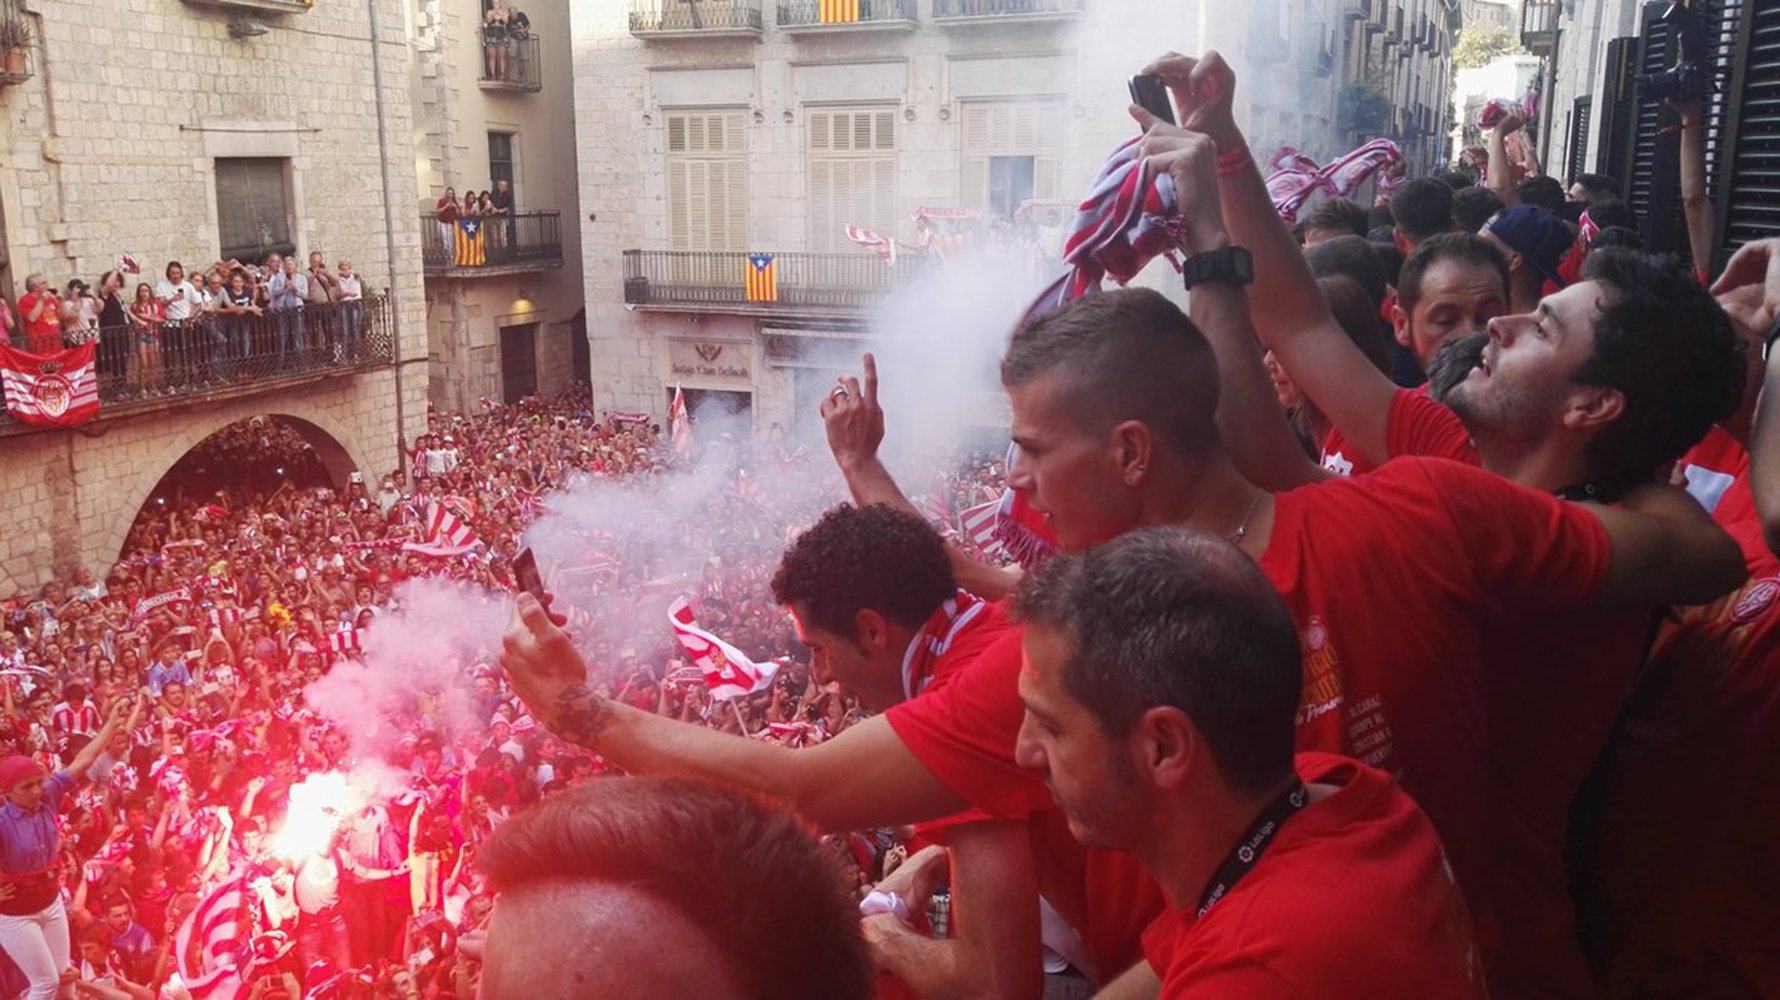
point(718, 131)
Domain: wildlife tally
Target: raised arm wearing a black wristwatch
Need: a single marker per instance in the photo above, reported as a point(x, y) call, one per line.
point(1249, 414)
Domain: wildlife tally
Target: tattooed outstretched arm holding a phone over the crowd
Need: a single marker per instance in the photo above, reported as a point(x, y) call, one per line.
point(859, 780)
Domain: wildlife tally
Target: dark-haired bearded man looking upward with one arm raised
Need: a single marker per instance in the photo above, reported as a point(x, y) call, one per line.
point(1596, 392)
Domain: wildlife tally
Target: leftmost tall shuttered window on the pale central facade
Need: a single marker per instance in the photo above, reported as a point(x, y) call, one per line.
point(708, 182)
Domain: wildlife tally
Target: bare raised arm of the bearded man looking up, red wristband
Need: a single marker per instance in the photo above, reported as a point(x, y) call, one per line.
point(1288, 307)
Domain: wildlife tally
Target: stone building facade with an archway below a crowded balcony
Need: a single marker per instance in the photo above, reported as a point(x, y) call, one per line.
point(182, 131)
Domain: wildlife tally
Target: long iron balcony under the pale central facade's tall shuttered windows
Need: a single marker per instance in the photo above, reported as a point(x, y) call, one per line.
point(804, 284)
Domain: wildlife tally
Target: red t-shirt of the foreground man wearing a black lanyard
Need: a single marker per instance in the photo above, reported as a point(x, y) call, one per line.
point(1352, 899)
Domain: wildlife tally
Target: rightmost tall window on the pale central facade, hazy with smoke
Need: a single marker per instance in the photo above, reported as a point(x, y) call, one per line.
point(1010, 154)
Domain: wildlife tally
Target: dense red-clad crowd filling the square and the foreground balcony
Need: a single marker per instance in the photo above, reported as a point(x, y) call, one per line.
point(1436, 673)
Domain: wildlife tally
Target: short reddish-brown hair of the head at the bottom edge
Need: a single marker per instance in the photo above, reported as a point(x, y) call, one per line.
point(748, 876)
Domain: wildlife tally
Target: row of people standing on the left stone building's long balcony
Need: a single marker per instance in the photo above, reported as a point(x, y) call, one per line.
point(193, 330)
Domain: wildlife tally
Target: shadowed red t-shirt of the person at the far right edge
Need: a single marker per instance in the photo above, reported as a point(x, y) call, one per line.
point(1678, 876)
